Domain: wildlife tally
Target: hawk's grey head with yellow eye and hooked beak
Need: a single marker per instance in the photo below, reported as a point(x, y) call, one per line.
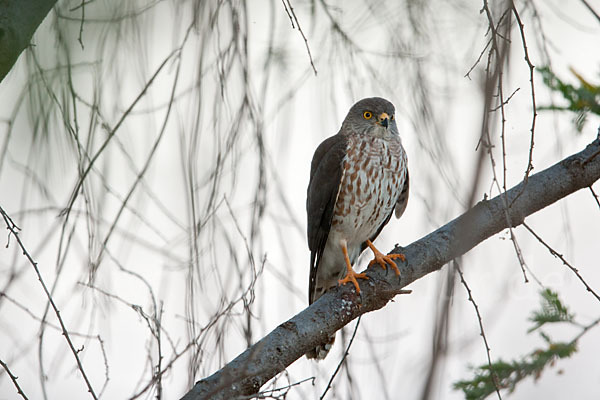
point(371, 116)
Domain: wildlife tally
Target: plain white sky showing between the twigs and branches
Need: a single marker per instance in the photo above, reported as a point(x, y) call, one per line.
point(298, 110)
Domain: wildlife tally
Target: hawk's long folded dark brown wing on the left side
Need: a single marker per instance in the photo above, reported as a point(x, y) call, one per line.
point(323, 189)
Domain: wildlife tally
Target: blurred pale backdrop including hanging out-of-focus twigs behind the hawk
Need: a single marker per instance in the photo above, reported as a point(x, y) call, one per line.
point(156, 154)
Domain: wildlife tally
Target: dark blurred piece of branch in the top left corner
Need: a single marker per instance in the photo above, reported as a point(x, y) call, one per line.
point(18, 21)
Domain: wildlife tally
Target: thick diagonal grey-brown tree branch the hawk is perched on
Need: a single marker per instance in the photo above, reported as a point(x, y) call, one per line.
point(292, 339)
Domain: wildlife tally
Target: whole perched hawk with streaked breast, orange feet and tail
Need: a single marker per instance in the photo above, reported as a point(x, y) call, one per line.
point(357, 178)
